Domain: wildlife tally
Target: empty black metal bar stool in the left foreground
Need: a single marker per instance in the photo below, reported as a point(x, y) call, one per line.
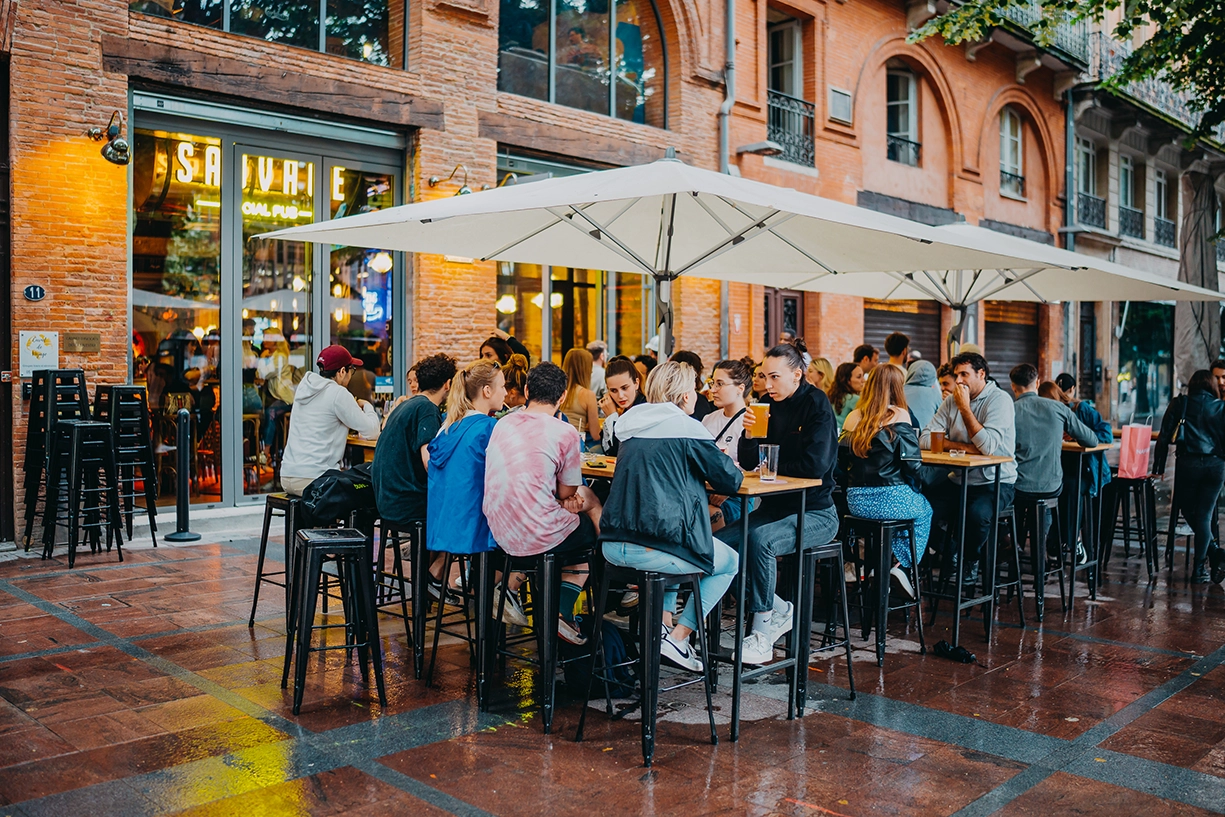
point(350, 549)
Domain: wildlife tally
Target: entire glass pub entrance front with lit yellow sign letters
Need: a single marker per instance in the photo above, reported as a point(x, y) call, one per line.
point(226, 324)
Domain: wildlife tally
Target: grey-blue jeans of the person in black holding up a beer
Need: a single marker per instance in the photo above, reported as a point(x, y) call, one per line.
point(771, 537)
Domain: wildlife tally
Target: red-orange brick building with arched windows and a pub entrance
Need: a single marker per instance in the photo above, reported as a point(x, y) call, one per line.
point(244, 117)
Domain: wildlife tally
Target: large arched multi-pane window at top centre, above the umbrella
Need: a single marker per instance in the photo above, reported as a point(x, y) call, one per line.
point(606, 57)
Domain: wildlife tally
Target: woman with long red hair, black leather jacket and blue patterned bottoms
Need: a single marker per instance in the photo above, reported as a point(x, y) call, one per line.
point(885, 464)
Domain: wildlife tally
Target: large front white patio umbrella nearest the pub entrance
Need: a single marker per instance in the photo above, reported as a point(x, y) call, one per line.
point(666, 220)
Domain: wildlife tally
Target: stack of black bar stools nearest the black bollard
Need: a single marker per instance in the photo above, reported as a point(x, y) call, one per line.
point(127, 410)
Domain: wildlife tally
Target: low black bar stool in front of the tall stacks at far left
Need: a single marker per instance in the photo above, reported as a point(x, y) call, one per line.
point(83, 488)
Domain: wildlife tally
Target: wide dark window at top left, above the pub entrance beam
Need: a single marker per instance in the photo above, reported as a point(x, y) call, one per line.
point(372, 31)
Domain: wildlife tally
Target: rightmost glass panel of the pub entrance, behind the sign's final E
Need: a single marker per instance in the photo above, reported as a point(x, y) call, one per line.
point(361, 288)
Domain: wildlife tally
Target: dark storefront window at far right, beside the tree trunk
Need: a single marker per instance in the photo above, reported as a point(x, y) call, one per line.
point(1146, 366)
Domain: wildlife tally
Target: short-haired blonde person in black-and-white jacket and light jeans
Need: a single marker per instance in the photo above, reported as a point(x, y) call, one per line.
point(656, 518)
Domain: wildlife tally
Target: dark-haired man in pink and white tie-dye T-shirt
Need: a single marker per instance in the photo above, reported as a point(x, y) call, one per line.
point(535, 495)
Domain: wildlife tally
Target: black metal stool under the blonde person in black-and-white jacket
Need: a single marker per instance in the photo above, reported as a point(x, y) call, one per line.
point(651, 622)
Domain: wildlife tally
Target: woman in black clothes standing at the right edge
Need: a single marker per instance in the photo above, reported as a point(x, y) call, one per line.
point(1199, 423)
